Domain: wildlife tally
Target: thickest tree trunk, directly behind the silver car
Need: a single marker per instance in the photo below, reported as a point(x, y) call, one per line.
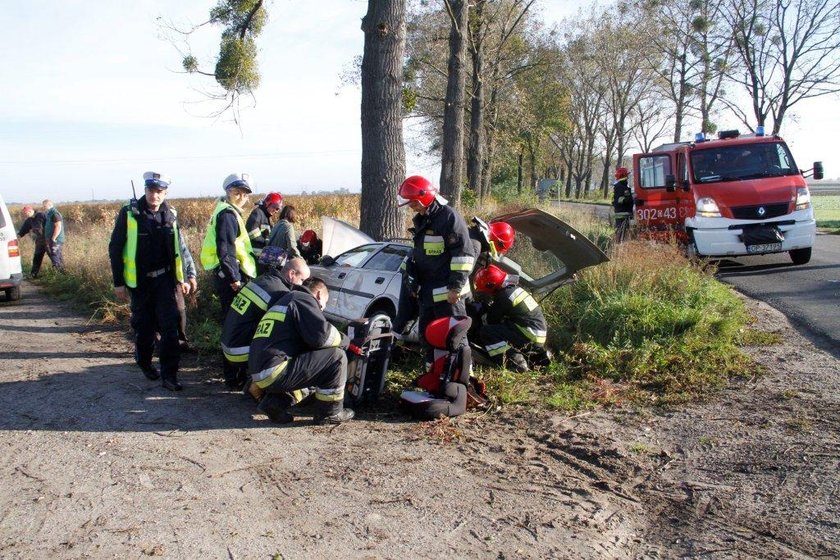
point(383, 152)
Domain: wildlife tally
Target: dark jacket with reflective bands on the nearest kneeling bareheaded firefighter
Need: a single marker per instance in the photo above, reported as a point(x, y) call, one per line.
point(292, 326)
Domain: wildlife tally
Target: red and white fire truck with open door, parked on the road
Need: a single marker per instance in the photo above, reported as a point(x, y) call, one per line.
point(739, 194)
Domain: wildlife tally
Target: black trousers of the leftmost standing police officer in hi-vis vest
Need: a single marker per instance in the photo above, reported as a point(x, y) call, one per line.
point(155, 309)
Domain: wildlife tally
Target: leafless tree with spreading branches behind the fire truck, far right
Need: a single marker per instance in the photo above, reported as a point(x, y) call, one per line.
point(789, 52)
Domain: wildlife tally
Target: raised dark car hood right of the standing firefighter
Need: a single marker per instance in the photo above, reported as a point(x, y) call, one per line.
point(548, 233)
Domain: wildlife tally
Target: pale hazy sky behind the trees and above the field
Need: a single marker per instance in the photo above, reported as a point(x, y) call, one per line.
point(93, 96)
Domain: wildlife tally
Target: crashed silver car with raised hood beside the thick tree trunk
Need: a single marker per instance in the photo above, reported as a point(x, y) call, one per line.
point(365, 280)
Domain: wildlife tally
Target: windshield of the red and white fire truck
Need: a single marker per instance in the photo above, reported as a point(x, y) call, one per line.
point(742, 162)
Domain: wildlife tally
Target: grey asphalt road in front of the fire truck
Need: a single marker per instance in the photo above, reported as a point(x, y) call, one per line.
point(808, 294)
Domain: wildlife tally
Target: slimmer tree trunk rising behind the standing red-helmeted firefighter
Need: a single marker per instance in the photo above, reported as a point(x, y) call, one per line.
point(452, 154)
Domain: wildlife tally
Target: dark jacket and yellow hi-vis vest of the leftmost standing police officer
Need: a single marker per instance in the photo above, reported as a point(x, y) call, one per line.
point(145, 243)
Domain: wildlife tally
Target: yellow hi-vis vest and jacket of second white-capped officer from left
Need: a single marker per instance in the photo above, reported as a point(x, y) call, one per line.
point(226, 244)
